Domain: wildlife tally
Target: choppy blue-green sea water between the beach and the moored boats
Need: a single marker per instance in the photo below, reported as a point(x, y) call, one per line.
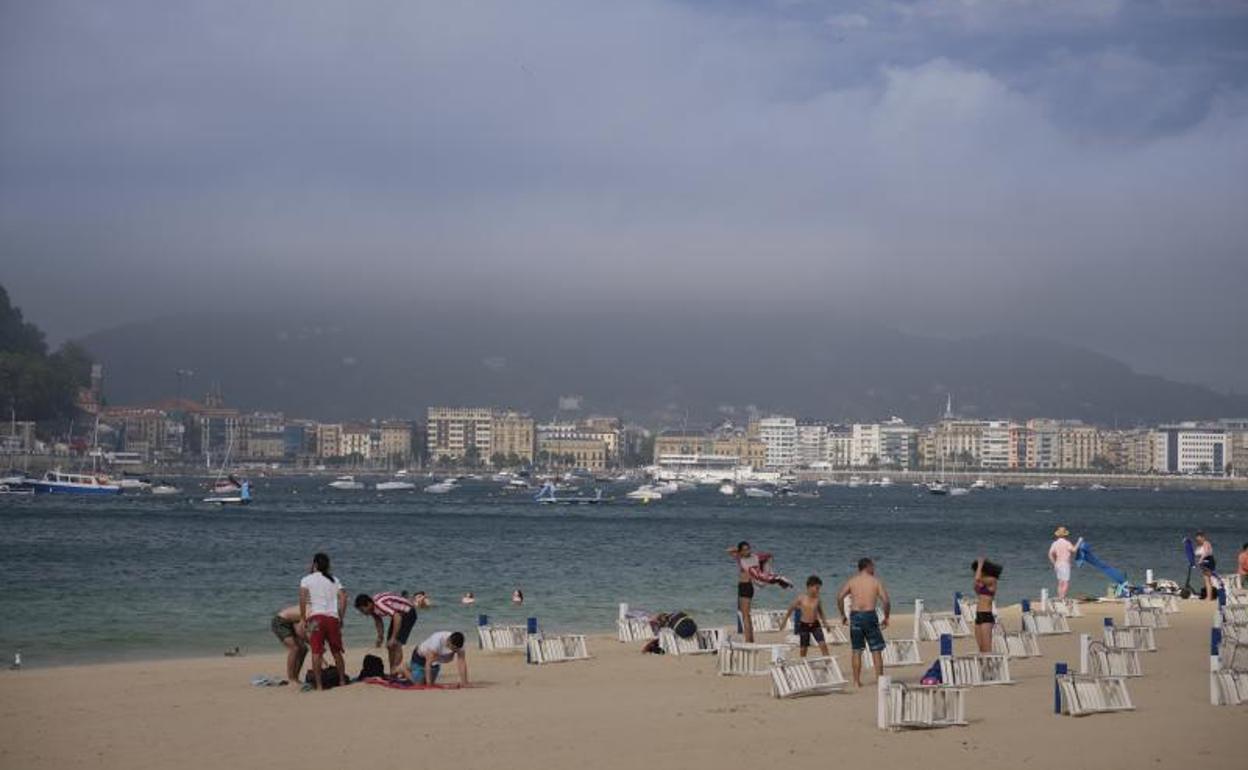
point(140, 576)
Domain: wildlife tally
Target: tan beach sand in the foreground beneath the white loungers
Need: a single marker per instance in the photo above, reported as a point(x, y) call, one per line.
point(622, 709)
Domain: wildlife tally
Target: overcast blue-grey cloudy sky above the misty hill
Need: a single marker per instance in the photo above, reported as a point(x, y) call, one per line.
point(1075, 169)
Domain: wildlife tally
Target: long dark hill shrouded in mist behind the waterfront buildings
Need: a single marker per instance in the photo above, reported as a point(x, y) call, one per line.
point(663, 370)
